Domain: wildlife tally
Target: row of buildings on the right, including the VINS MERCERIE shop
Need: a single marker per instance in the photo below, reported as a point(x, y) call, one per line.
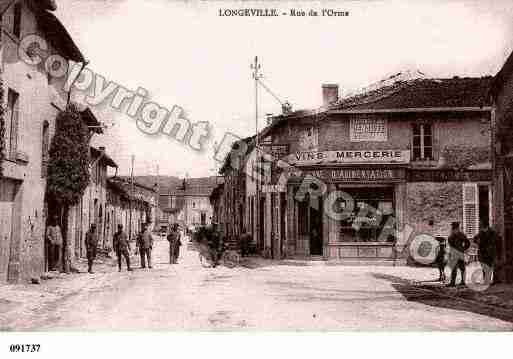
point(359, 177)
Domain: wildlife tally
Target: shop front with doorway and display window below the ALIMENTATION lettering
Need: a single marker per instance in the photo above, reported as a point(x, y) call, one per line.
point(355, 217)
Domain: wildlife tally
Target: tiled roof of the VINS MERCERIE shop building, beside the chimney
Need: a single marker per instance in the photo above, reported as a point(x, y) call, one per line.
point(423, 93)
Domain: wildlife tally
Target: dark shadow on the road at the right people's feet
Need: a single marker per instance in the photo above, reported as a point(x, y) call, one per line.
point(436, 295)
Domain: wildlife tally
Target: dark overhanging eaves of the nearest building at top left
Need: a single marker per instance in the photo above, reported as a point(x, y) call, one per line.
point(57, 34)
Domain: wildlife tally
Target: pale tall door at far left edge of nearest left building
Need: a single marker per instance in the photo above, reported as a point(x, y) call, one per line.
point(7, 192)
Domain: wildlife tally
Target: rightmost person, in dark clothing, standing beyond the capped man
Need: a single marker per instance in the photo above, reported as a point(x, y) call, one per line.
point(487, 253)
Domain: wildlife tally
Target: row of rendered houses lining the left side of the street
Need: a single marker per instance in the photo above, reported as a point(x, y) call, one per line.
point(31, 102)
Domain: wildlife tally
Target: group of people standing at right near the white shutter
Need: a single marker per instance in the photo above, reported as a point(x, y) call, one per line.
point(458, 243)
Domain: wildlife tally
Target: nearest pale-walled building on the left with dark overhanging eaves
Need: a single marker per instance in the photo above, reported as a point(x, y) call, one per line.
point(31, 100)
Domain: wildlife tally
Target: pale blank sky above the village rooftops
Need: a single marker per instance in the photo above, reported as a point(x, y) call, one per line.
point(185, 54)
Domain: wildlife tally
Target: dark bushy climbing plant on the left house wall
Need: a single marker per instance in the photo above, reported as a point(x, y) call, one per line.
point(68, 165)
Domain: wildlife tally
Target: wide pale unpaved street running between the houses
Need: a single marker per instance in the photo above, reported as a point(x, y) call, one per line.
point(265, 296)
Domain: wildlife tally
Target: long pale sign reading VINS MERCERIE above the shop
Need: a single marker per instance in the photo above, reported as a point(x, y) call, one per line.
point(350, 156)
